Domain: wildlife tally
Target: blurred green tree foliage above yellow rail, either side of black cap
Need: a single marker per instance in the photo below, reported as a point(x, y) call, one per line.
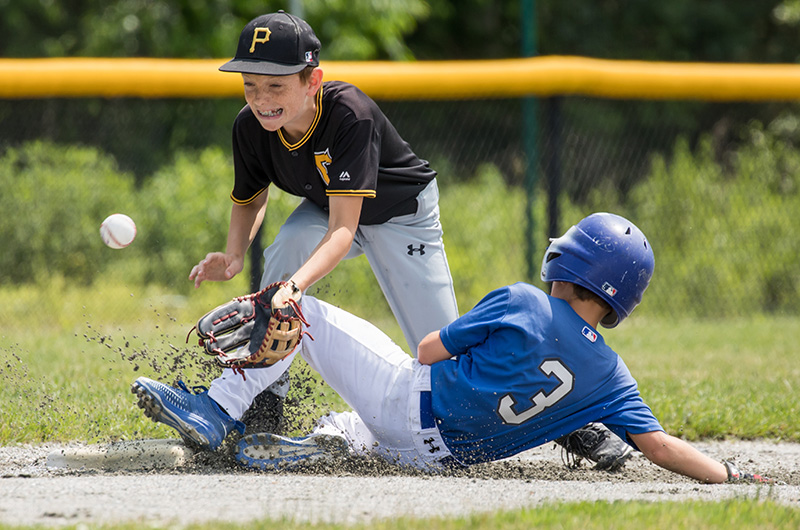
point(355, 30)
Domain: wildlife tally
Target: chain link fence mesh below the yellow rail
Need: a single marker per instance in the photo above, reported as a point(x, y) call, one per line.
point(714, 186)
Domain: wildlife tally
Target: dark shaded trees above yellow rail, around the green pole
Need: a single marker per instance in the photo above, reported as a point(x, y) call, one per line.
point(680, 30)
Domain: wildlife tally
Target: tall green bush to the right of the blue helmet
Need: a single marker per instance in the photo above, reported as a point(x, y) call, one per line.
point(725, 240)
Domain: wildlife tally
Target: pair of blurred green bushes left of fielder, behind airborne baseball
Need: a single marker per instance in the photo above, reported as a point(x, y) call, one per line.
point(59, 195)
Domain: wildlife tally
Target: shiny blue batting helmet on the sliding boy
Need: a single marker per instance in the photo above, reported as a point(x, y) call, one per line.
point(606, 254)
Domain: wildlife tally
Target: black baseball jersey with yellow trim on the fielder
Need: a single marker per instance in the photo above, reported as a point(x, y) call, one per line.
point(351, 149)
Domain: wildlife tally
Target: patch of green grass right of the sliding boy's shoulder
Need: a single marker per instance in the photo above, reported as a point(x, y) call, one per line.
point(717, 378)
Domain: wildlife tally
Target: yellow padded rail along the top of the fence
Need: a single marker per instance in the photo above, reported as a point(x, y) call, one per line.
point(538, 76)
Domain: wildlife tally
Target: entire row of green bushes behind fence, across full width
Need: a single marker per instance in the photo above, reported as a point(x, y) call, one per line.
point(724, 235)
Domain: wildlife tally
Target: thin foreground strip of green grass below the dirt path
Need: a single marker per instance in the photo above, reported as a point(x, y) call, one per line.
point(584, 516)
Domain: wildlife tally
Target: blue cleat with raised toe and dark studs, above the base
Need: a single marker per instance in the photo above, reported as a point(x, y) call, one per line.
point(196, 416)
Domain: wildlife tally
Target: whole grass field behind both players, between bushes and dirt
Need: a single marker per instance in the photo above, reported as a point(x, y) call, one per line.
point(65, 373)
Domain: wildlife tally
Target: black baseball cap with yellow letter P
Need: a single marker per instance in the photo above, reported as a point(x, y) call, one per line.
point(275, 44)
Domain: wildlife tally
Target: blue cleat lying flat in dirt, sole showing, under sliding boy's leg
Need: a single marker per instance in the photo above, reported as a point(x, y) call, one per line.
point(270, 451)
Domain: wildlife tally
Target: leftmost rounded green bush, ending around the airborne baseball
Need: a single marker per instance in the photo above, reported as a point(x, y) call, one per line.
point(53, 201)
